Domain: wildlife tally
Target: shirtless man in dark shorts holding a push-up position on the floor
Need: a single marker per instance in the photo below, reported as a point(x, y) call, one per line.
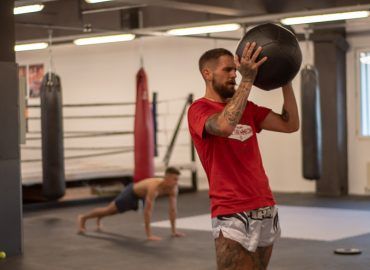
point(147, 189)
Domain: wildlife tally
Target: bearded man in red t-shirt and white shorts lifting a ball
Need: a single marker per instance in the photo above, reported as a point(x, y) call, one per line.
point(223, 125)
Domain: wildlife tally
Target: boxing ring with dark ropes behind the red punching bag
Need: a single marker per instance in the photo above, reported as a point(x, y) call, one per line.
point(99, 143)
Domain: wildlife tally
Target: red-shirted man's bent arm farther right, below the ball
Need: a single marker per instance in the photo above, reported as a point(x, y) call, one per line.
point(288, 120)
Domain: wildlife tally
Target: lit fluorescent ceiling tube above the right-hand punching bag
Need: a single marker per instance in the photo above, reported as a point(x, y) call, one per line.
point(326, 17)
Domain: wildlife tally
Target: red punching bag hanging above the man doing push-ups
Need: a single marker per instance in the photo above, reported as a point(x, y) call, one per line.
point(143, 130)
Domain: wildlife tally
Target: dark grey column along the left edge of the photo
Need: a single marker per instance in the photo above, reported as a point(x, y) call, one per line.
point(10, 182)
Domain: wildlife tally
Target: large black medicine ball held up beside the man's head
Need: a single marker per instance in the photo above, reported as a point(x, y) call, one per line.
point(282, 49)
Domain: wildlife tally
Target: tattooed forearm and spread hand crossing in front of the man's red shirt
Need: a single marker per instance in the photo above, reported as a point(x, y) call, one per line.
point(223, 123)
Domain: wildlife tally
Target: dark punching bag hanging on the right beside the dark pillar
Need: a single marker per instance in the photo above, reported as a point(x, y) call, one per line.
point(311, 123)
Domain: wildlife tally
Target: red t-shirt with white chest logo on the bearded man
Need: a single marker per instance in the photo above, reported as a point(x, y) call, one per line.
point(237, 179)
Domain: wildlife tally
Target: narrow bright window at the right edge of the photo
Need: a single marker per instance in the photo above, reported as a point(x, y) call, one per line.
point(365, 93)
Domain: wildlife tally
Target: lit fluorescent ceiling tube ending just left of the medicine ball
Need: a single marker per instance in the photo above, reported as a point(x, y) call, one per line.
point(203, 29)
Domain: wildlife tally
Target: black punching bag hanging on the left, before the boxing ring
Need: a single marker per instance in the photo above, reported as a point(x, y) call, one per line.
point(53, 186)
